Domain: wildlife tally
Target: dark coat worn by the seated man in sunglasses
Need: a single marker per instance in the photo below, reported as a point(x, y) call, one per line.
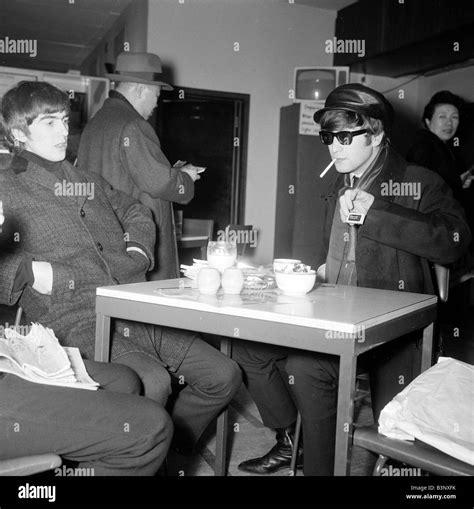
point(402, 235)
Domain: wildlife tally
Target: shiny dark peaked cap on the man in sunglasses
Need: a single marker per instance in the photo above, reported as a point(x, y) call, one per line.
point(359, 99)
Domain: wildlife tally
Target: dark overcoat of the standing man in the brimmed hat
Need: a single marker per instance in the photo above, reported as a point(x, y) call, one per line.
point(124, 149)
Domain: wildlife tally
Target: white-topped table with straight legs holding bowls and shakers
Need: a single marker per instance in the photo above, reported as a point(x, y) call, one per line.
point(340, 320)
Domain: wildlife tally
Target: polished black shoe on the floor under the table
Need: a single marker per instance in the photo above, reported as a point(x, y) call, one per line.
point(277, 458)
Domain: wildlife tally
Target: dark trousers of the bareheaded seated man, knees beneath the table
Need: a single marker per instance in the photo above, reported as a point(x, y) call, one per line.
point(205, 383)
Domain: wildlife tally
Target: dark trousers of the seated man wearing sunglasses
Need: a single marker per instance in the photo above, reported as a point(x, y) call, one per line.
point(310, 385)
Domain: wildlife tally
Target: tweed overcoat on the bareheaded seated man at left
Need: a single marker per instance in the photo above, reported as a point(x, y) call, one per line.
point(85, 242)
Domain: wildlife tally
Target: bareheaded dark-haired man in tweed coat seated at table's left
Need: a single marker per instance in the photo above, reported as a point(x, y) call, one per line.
point(72, 232)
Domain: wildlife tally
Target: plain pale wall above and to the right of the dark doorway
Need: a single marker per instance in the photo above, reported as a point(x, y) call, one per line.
point(196, 40)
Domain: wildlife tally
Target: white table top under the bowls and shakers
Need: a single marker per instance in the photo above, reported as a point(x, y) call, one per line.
point(339, 308)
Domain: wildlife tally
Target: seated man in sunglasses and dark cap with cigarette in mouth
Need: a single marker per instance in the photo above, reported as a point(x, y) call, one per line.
point(375, 238)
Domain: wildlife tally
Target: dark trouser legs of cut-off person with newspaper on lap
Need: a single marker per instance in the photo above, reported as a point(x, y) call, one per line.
point(112, 431)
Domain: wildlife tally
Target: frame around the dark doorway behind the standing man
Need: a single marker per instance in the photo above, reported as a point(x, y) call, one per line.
point(241, 127)
